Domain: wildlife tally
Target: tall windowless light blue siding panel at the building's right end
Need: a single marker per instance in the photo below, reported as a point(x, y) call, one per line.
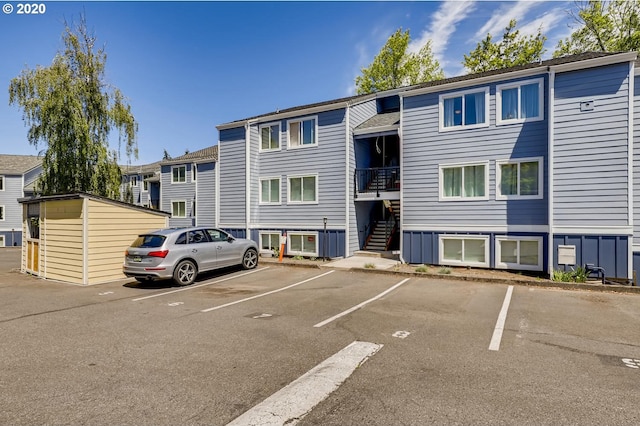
point(591, 176)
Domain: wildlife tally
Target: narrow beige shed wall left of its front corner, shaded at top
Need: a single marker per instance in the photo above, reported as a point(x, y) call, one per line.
point(61, 244)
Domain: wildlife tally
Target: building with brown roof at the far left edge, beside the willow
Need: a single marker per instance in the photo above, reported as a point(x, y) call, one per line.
point(18, 174)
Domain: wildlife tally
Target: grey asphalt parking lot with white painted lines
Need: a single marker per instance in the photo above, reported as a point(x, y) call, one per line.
point(232, 344)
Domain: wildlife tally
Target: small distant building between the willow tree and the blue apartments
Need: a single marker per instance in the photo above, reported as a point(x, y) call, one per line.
point(141, 185)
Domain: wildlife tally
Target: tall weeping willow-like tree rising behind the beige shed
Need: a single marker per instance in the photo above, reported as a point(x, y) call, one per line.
point(70, 109)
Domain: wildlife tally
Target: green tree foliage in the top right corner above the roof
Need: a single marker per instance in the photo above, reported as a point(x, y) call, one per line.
point(611, 26)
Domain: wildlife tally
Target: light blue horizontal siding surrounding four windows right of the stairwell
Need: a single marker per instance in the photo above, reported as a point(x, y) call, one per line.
point(425, 148)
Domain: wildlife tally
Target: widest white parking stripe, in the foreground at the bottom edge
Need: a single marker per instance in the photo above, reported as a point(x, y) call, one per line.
point(291, 403)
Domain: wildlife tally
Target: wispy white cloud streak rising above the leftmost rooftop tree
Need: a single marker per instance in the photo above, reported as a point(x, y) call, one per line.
point(443, 25)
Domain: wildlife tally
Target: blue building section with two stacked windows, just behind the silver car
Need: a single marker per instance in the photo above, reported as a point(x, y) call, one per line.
point(188, 188)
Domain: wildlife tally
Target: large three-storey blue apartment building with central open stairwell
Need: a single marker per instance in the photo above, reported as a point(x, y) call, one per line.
point(525, 168)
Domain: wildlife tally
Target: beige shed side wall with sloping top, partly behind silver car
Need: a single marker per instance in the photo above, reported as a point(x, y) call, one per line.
point(111, 229)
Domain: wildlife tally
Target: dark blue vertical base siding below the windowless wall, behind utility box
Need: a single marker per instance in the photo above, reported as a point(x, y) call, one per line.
point(608, 252)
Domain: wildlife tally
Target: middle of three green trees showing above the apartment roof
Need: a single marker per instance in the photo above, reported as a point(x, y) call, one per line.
point(514, 49)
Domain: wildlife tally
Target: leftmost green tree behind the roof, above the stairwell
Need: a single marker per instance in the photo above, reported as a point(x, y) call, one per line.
point(394, 67)
